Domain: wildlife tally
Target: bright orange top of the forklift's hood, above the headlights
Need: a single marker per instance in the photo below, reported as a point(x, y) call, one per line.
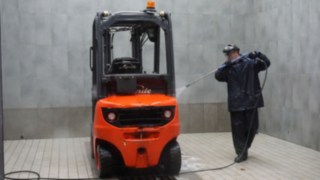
point(138, 100)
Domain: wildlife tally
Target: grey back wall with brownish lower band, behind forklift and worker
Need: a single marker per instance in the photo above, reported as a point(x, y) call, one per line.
point(45, 62)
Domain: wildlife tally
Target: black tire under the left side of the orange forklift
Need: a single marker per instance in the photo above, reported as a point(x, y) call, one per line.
point(105, 163)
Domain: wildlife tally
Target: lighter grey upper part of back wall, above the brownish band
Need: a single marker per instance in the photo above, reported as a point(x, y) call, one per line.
point(45, 41)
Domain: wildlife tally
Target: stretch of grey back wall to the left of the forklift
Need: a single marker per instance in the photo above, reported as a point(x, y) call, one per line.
point(45, 67)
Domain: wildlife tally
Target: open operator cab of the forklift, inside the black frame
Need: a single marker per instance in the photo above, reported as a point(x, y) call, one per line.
point(136, 58)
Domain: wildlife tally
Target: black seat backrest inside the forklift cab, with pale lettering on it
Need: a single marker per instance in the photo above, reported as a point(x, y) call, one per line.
point(126, 65)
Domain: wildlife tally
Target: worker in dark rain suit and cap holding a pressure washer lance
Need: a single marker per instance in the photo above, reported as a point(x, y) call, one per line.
point(240, 72)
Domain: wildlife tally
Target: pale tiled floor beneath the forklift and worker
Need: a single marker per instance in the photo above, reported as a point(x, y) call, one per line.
point(269, 158)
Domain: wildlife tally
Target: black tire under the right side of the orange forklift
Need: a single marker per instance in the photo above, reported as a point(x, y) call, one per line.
point(171, 158)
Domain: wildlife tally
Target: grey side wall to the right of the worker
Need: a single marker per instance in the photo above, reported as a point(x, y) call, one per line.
point(288, 32)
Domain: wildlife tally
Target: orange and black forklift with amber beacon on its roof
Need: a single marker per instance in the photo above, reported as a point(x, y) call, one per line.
point(135, 119)
